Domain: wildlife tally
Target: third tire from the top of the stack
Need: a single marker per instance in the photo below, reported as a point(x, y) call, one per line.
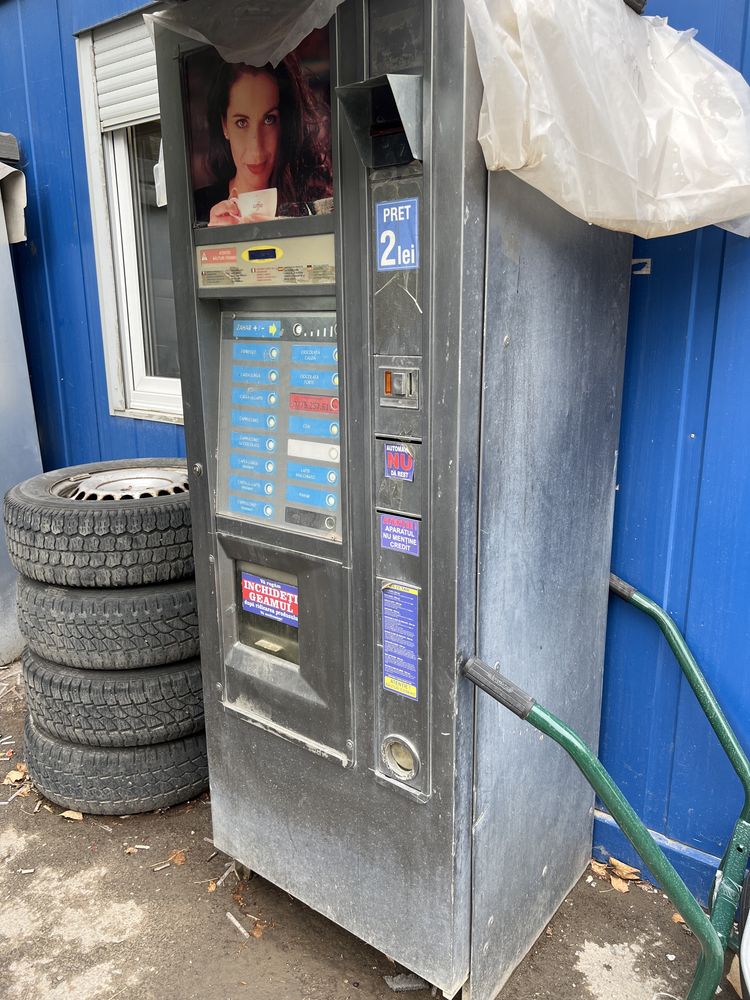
point(114, 708)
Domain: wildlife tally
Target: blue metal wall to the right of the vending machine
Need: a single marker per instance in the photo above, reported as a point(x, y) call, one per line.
point(682, 520)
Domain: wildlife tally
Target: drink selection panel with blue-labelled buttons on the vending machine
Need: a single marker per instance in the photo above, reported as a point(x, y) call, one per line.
point(279, 426)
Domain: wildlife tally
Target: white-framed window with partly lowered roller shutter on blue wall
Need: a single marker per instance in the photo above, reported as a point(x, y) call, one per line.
point(122, 135)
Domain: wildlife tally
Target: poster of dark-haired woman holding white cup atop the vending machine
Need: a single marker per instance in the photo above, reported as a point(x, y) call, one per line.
point(260, 137)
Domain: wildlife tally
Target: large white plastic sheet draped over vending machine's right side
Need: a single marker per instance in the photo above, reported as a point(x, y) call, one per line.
point(620, 119)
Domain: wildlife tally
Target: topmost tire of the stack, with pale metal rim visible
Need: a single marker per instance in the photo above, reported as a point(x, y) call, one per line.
point(107, 524)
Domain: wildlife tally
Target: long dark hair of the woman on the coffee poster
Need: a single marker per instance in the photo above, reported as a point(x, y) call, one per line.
point(302, 172)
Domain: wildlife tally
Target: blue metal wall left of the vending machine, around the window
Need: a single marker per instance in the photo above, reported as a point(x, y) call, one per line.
point(40, 103)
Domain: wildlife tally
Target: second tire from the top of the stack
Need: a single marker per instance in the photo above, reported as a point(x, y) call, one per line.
point(94, 629)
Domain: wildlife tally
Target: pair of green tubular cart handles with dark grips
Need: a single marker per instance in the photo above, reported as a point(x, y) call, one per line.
point(713, 930)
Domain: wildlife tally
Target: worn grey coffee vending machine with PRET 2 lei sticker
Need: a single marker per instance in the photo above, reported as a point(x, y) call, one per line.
point(402, 381)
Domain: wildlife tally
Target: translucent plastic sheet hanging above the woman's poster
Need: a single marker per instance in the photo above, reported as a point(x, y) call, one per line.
point(250, 31)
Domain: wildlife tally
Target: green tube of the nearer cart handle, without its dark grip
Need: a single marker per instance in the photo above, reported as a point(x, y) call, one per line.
point(711, 965)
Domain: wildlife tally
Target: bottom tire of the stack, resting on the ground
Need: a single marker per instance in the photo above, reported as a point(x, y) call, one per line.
point(110, 781)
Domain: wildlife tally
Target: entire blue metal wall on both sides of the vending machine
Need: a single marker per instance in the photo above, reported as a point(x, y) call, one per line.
point(682, 530)
